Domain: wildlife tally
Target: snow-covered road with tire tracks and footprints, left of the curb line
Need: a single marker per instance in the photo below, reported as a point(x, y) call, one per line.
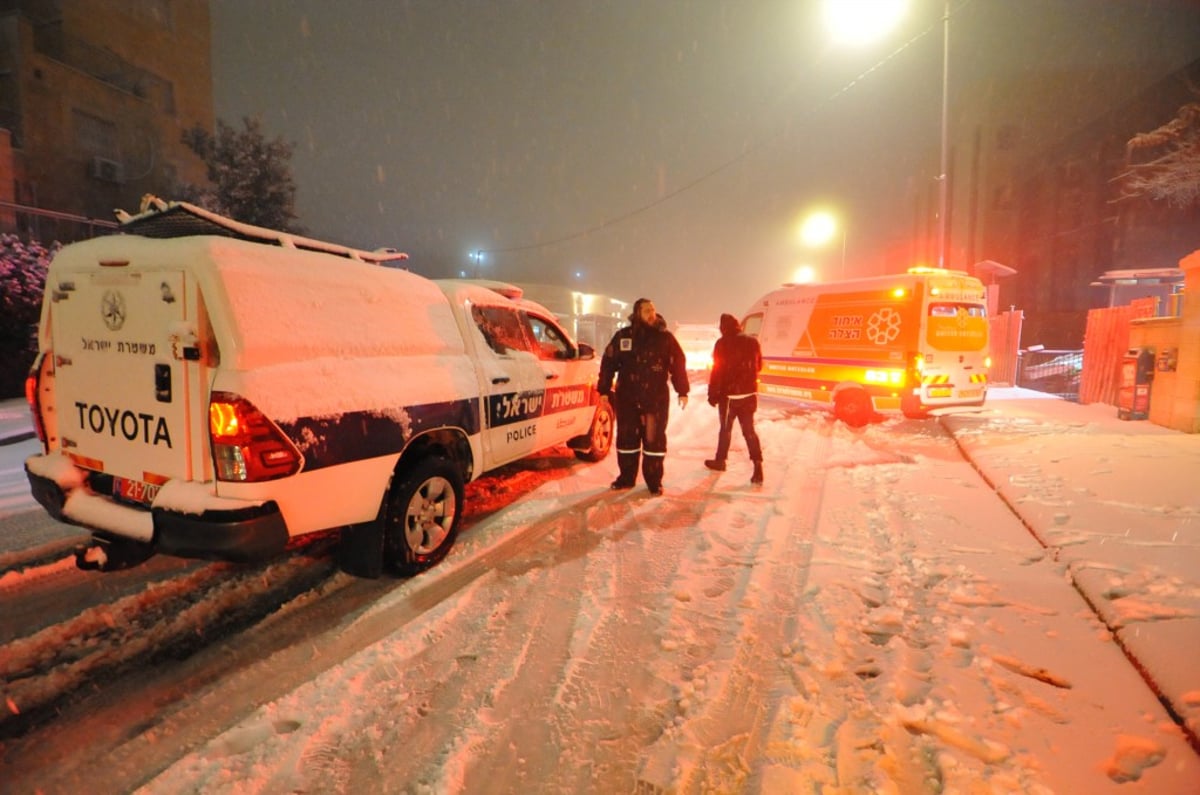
point(874, 619)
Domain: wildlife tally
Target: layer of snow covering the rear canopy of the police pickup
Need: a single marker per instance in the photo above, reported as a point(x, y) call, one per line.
point(273, 304)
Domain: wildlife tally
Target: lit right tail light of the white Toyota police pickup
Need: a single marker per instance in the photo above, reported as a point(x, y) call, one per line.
point(247, 446)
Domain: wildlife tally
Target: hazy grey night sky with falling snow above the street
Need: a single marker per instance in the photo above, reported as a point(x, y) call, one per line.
point(643, 147)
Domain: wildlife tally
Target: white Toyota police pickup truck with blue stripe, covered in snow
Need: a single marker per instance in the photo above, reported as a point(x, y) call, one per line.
point(213, 390)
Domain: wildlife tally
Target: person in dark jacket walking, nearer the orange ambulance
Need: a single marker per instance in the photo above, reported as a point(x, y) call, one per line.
point(733, 388)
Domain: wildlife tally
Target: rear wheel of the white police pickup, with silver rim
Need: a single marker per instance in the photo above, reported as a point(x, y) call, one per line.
point(422, 515)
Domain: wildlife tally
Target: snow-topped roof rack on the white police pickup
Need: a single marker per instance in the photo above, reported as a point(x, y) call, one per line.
point(160, 219)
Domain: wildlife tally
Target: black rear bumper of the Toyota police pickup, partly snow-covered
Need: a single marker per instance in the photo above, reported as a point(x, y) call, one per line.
point(243, 533)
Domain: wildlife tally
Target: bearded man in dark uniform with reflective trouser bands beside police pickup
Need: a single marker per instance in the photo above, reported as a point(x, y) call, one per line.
point(643, 357)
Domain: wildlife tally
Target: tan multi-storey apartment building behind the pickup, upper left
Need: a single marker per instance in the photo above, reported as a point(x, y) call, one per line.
point(95, 97)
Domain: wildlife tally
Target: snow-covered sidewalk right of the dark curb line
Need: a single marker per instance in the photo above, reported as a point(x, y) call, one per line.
point(1118, 505)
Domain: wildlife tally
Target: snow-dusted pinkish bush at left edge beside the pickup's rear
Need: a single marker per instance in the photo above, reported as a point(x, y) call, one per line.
point(22, 282)
